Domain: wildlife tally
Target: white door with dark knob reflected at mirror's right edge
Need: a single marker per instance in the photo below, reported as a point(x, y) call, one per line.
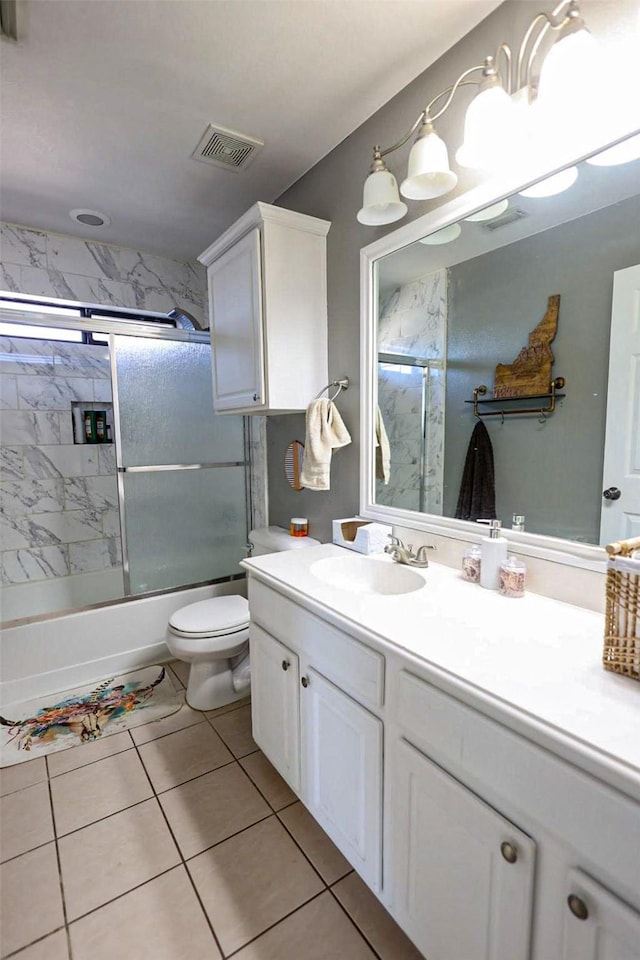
point(620, 517)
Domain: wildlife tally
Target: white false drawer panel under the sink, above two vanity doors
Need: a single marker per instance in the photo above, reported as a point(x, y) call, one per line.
point(355, 668)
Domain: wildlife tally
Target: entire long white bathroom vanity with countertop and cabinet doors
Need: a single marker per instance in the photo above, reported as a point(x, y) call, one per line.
point(466, 752)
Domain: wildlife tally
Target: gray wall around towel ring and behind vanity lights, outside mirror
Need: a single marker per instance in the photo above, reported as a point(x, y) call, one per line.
point(333, 190)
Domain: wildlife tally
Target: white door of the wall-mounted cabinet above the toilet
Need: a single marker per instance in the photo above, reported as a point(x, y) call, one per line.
point(235, 300)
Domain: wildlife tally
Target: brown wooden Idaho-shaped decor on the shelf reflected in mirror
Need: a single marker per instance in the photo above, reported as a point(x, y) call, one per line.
point(530, 373)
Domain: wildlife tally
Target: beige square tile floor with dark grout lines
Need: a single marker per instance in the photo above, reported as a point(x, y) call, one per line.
point(176, 841)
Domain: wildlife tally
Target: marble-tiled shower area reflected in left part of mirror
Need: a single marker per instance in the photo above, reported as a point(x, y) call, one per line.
point(413, 321)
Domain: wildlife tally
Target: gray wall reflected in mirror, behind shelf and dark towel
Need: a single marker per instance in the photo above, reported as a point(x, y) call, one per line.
point(551, 472)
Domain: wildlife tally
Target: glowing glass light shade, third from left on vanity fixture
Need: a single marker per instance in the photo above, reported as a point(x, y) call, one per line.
point(488, 130)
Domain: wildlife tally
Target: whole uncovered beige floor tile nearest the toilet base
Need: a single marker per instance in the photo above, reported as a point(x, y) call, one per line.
point(183, 755)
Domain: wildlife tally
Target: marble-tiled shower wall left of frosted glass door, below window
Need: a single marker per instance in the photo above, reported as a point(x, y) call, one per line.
point(58, 499)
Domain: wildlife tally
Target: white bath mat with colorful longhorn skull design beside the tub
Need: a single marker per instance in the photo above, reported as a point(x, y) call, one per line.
point(48, 724)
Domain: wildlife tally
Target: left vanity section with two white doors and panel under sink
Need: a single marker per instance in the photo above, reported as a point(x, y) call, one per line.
point(312, 692)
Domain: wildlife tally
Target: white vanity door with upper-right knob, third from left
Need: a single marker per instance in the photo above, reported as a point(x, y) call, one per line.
point(455, 891)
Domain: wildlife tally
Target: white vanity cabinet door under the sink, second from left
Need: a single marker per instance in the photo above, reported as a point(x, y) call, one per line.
point(342, 772)
